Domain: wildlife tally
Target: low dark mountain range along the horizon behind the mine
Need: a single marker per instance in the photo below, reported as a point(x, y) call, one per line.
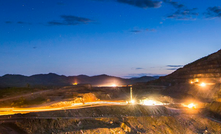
point(52, 79)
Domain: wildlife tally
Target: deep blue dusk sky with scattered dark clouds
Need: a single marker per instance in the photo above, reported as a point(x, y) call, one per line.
point(126, 38)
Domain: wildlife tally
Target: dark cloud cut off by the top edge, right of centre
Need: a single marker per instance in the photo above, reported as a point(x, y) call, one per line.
point(142, 3)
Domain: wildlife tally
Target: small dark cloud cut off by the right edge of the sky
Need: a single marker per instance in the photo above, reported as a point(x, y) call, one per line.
point(213, 12)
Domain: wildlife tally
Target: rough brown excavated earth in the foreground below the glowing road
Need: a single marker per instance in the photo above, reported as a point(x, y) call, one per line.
point(109, 120)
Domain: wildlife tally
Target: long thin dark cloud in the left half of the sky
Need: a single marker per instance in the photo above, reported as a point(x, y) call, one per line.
point(70, 20)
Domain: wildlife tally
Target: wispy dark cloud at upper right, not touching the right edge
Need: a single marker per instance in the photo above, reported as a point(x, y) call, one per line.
point(182, 12)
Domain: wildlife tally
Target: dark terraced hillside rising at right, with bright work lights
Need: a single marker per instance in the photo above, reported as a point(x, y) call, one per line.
point(200, 78)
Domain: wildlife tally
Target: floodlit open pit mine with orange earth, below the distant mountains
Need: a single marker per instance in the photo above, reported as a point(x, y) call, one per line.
point(188, 101)
